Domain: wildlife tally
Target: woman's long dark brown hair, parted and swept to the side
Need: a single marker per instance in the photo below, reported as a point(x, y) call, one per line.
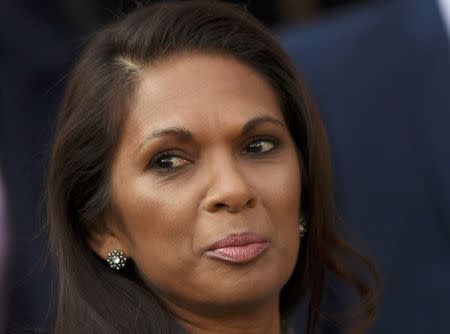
point(92, 297)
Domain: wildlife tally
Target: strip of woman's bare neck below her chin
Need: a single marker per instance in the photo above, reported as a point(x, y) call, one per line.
point(258, 319)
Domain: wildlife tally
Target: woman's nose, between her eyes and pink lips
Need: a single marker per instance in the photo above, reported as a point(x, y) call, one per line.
point(229, 189)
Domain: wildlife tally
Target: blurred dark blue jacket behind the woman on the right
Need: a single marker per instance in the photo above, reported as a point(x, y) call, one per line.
point(381, 79)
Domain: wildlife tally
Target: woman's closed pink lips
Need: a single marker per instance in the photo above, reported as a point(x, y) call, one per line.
point(238, 248)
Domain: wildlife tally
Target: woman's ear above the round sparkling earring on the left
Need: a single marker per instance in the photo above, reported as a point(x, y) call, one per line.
point(106, 236)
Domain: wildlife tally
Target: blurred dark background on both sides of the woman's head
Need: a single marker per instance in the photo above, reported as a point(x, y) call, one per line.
point(380, 73)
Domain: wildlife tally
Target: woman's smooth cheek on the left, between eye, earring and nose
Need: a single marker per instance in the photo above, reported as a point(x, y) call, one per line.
point(159, 227)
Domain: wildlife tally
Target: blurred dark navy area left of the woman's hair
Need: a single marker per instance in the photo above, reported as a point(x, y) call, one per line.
point(35, 57)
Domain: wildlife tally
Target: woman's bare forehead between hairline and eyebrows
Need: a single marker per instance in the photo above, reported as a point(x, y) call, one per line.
point(200, 91)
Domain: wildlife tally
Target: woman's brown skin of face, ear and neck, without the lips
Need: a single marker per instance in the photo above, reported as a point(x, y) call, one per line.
point(213, 182)
